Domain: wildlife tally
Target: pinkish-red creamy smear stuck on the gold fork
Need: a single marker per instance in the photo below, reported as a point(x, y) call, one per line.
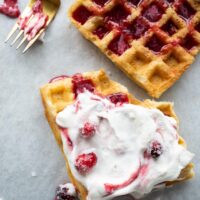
point(38, 22)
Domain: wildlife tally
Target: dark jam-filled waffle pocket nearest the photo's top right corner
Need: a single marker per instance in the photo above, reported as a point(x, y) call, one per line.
point(185, 10)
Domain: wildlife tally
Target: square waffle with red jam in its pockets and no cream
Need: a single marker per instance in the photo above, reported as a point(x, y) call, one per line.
point(152, 41)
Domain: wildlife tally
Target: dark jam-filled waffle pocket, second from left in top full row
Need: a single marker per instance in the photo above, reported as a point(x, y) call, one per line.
point(117, 15)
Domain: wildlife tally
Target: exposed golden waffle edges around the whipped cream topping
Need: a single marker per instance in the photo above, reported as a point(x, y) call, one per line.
point(57, 95)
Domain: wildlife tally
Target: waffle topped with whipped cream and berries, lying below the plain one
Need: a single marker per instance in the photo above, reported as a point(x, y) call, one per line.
point(84, 103)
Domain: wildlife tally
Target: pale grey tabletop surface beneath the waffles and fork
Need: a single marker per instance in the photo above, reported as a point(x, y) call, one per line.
point(31, 164)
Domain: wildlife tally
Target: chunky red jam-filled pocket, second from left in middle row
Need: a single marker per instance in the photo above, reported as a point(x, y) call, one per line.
point(138, 27)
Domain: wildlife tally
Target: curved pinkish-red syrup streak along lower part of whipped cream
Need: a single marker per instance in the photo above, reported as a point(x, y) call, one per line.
point(110, 188)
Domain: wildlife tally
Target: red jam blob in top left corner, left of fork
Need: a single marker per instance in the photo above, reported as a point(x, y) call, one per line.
point(10, 8)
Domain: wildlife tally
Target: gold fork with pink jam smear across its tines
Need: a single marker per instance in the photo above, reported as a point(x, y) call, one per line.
point(33, 22)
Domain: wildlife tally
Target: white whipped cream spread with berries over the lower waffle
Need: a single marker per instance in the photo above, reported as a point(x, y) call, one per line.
point(136, 149)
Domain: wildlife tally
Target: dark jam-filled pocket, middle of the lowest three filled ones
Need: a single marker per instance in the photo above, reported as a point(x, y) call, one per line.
point(155, 44)
